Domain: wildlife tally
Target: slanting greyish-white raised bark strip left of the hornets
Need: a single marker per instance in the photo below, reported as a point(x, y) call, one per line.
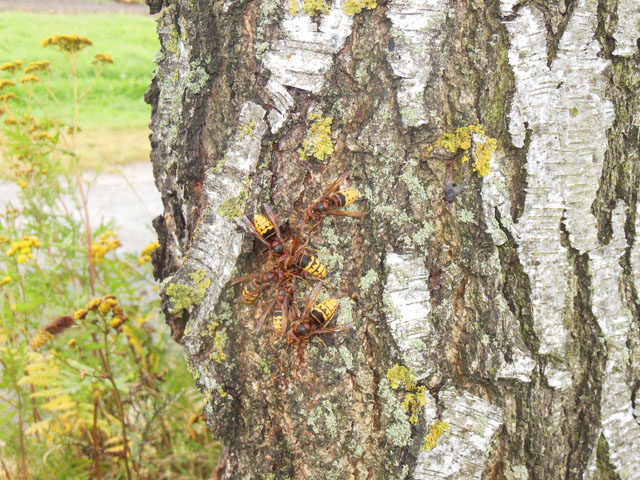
point(216, 245)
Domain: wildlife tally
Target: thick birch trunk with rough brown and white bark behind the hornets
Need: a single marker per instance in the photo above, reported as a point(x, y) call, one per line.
point(515, 303)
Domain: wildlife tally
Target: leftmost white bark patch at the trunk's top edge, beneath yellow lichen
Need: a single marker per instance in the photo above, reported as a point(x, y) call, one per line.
point(305, 53)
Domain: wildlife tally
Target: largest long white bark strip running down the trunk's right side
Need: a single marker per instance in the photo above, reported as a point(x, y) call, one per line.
point(566, 109)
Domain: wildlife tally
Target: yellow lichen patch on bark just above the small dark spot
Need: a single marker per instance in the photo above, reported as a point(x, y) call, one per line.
point(473, 142)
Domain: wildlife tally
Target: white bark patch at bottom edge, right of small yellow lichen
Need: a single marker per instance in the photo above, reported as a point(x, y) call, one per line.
point(463, 450)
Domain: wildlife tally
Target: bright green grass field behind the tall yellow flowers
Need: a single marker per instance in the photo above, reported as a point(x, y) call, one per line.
point(116, 100)
